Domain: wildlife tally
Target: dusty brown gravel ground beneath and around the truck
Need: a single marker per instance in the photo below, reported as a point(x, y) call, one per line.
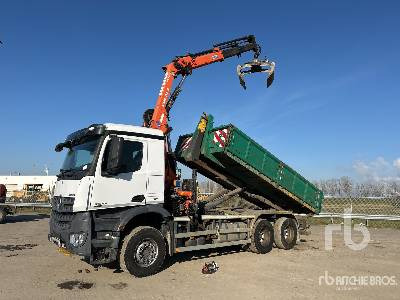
point(32, 268)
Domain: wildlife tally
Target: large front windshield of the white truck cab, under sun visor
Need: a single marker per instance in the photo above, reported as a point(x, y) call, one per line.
point(80, 157)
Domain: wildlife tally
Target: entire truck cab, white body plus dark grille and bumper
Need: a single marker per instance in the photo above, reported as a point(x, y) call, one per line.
point(108, 168)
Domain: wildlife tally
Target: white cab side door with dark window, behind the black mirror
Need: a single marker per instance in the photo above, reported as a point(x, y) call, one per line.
point(127, 188)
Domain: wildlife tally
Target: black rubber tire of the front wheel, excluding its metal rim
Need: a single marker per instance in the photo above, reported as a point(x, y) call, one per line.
point(129, 244)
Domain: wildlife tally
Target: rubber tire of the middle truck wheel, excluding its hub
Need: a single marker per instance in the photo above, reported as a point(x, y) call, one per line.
point(256, 246)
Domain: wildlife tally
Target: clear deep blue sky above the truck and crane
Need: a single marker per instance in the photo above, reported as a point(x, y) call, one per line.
point(332, 110)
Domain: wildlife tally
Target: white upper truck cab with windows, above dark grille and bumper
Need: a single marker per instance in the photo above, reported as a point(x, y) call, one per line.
point(85, 178)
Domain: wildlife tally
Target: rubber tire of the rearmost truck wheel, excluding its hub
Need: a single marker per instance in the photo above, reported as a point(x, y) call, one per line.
point(280, 226)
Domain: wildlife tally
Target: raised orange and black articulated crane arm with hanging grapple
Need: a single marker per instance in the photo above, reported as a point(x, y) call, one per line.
point(184, 65)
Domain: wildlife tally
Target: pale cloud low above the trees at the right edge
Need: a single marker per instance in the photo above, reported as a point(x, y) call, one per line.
point(378, 169)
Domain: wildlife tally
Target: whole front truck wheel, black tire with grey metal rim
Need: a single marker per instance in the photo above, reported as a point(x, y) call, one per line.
point(143, 252)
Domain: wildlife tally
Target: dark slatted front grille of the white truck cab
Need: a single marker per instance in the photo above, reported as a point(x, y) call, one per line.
point(61, 212)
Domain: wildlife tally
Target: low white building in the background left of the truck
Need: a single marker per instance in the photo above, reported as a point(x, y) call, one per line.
point(31, 187)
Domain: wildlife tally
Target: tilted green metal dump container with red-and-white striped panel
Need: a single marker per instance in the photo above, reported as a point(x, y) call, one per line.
point(231, 158)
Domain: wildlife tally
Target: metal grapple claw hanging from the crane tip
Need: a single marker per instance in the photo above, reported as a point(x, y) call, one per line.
point(256, 66)
